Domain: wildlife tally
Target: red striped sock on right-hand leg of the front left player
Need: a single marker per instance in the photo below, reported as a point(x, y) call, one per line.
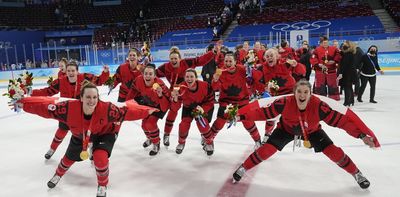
point(100, 159)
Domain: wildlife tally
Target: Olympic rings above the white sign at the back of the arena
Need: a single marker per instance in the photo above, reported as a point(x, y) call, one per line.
point(301, 25)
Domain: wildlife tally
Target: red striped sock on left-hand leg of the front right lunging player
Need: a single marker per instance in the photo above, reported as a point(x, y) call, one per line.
point(261, 154)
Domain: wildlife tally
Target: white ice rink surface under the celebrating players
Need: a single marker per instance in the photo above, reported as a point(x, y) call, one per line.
point(25, 138)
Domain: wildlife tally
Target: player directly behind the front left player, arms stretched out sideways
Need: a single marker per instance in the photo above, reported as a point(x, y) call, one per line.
point(68, 87)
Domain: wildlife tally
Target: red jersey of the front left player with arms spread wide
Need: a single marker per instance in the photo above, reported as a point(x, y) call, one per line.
point(71, 113)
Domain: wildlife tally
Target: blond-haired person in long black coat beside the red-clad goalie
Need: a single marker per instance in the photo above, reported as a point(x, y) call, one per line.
point(347, 71)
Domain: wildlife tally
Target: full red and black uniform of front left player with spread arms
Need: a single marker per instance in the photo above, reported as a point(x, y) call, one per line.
point(103, 125)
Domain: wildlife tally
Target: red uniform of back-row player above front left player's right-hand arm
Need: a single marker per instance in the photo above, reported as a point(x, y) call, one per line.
point(126, 76)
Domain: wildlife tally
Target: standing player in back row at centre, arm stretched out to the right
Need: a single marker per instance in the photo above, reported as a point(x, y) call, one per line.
point(174, 72)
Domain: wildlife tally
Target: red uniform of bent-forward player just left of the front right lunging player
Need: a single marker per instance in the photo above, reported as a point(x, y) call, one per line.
point(233, 90)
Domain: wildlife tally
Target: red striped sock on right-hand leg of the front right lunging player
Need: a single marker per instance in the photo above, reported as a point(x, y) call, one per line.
point(337, 155)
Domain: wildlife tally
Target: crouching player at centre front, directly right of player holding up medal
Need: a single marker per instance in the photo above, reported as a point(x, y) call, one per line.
point(197, 98)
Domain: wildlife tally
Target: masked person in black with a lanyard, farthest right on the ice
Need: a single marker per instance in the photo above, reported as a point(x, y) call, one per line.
point(368, 72)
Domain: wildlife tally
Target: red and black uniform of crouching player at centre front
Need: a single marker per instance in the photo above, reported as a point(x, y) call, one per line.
point(202, 96)
